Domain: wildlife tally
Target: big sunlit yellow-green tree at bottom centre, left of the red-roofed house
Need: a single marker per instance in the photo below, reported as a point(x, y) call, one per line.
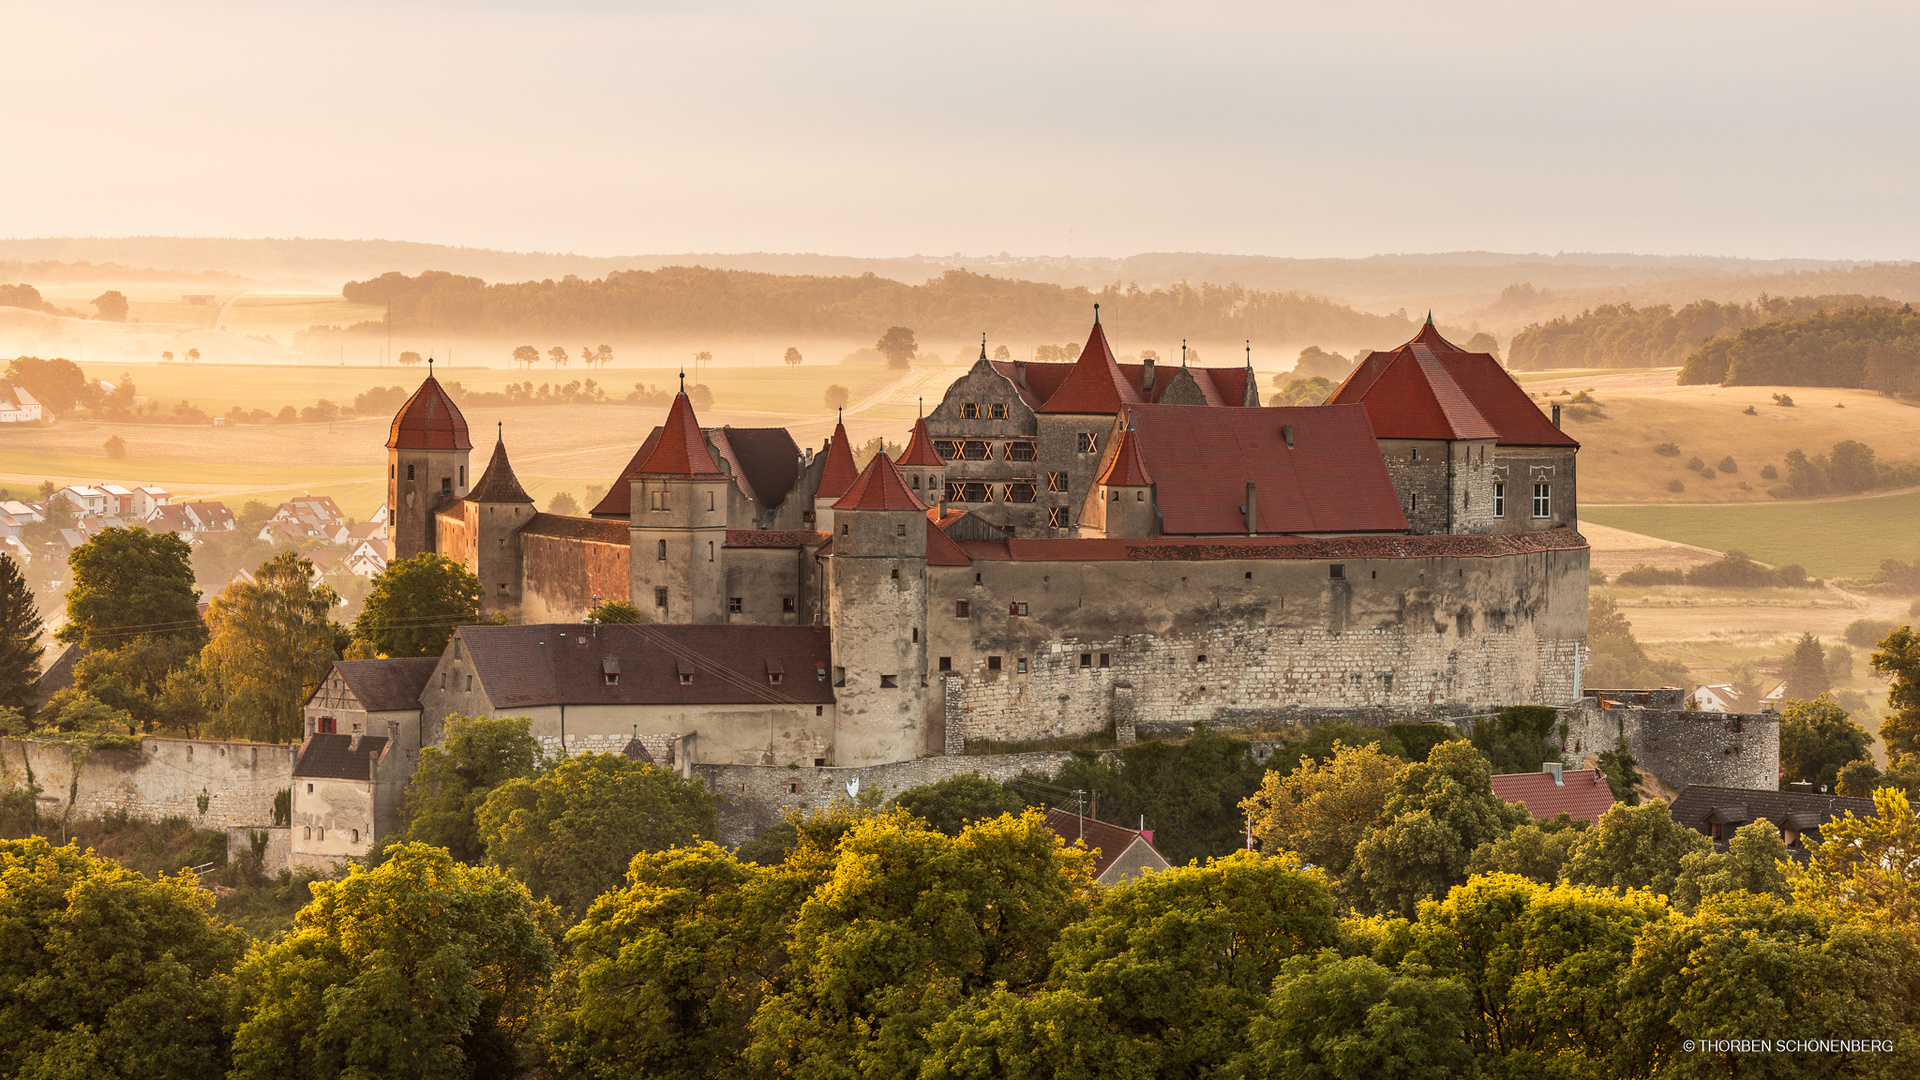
point(909, 925)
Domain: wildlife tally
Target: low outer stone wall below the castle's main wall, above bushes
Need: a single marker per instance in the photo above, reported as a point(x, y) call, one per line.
point(756, 797)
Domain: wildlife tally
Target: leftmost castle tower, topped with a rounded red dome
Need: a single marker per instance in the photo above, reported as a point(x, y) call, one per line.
point(425, 470)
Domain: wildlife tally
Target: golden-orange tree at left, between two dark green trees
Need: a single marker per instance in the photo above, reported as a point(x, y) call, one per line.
point(272, 645)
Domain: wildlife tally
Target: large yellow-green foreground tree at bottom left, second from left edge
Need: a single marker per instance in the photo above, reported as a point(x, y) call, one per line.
point(421, 968)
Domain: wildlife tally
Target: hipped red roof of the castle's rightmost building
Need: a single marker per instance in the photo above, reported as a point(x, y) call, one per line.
point(1410, 401)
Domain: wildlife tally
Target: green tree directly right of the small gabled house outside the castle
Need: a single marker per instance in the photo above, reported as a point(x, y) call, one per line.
point(456, 779)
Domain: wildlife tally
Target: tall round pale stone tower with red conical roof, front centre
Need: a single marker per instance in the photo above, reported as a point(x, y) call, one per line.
point(878, 610)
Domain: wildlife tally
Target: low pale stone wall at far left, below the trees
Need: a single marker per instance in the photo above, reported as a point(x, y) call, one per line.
point(162, 779)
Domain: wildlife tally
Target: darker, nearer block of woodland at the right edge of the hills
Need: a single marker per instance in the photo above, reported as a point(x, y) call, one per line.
point(1873, 349)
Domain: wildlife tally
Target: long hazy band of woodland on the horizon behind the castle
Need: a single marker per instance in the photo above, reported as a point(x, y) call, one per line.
point(955, 305)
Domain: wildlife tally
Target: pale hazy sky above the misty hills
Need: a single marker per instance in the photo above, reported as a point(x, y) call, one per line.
point(1742, 128)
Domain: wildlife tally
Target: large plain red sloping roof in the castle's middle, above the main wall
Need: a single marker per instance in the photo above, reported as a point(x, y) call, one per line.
point(1332, 479)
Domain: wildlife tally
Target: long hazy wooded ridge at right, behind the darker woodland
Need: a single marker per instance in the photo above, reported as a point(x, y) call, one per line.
point(1621, 335)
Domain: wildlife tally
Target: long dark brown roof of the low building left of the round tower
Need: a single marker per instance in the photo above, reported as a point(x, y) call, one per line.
point(550, 664)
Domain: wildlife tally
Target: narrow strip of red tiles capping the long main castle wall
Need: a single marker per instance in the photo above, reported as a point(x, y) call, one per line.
point(1188, 551)
